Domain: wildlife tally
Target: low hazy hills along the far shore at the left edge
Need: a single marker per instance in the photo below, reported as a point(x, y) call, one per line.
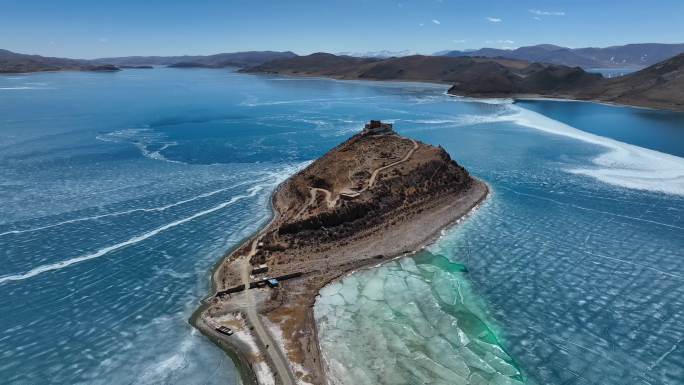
point(11, 62)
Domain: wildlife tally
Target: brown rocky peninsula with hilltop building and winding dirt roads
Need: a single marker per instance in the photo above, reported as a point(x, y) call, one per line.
point(372, 198)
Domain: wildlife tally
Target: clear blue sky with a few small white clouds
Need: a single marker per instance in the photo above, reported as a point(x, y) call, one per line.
point(94, 28)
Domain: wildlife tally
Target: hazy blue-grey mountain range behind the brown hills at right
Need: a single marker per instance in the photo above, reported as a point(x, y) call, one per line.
point(630, 55)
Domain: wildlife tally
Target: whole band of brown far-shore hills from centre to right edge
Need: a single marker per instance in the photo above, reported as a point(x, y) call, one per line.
point(658, 86)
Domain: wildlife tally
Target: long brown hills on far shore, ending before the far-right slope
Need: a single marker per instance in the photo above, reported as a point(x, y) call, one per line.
point(471, 76)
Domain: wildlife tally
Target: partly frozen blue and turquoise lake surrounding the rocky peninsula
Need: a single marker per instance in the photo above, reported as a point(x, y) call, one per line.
point(119, 192)
